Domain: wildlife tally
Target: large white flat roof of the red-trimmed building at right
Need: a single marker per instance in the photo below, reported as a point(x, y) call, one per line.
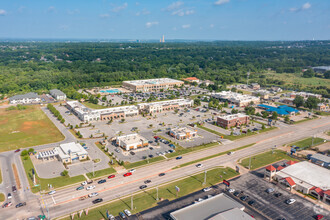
point(308, 173)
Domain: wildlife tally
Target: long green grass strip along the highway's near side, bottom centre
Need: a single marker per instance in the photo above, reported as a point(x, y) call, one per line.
point(147, 199)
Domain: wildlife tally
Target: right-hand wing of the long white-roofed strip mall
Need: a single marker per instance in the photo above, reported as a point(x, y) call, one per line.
point(157, 107)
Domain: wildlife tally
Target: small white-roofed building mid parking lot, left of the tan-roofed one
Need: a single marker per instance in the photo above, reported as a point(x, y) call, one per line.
point(131, 142)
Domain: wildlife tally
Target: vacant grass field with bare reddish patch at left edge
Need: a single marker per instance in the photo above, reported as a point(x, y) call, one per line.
point(26, 128)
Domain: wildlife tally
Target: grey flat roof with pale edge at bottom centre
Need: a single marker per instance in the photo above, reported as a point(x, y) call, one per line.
point(208, 208)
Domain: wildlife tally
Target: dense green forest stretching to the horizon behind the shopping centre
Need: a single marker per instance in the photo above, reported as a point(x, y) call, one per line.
point(41, 66)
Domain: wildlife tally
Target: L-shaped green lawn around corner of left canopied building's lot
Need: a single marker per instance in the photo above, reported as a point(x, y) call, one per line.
point(56, 182)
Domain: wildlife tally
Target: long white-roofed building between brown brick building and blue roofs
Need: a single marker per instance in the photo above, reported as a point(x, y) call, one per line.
point(236, 98)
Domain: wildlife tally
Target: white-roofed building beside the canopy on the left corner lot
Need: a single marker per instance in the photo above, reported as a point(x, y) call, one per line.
point(70, 152)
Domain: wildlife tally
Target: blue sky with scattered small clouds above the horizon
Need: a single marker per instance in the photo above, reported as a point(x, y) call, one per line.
point(150, 19)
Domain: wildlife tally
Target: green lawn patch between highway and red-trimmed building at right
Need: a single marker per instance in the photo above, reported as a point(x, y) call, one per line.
point(263, 159)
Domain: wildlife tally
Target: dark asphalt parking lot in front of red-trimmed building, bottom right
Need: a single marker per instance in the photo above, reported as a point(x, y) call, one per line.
point(254, 186)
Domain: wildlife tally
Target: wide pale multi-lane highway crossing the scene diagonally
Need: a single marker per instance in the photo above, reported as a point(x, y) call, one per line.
point(66, 201)
